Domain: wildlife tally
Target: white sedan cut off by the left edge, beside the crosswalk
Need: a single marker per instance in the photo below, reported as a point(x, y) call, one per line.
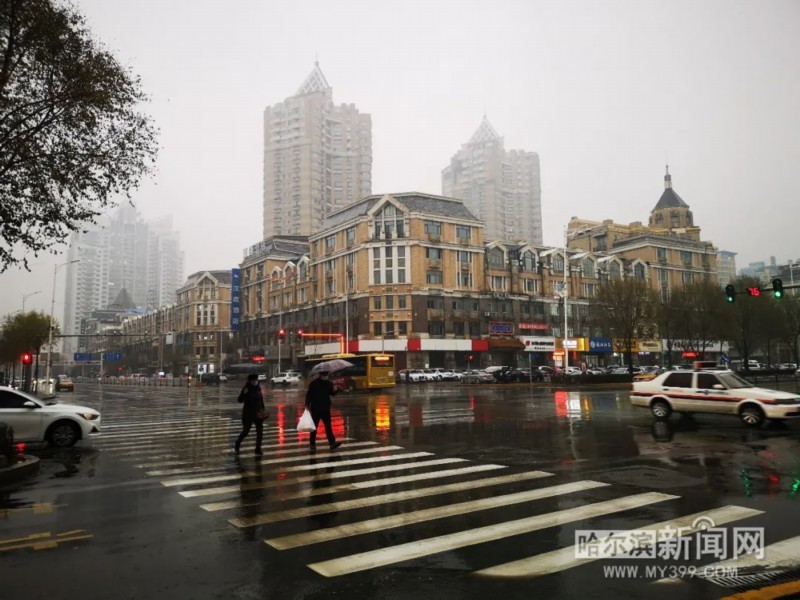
point(37, 420)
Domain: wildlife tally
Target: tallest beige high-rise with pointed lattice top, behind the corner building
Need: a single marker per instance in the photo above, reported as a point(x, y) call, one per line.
point(317, 158)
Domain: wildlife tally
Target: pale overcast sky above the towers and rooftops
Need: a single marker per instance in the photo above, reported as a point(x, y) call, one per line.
point(602, 90)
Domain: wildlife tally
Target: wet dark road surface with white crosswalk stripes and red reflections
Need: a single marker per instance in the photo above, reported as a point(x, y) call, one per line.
point(440, 490)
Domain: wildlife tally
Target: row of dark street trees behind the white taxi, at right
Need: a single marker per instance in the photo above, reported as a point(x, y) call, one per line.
point(697, 317)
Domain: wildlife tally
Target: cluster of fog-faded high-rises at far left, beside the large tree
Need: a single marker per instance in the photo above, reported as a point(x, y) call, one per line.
point(122, 252)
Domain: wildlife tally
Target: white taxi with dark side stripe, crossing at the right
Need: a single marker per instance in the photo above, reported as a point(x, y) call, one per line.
point(722, 392)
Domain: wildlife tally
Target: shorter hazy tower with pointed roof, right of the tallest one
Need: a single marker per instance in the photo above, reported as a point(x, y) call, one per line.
point(501, 187)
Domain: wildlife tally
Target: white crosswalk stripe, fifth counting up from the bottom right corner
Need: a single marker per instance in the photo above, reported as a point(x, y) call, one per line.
point(307, 511)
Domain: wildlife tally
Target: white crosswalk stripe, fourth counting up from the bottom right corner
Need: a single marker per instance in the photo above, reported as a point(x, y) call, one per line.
point(429, 514)
